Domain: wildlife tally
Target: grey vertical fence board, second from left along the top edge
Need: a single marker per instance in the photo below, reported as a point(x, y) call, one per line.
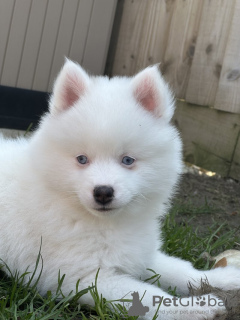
point(16, 42)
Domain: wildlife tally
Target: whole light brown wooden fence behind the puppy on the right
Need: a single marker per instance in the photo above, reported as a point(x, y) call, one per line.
point(197, 43)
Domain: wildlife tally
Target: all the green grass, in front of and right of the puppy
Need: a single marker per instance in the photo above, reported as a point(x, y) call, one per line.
point(20, 302)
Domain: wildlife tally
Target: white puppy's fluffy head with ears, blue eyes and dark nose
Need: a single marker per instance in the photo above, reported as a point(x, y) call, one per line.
point(107, 143)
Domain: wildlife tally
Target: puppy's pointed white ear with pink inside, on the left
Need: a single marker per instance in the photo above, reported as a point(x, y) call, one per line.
point(70, 85)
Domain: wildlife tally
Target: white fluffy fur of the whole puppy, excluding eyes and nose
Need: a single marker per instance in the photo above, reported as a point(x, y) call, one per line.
point(46, 194)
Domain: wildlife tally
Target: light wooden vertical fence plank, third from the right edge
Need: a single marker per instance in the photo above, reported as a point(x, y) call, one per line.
point(181, 45)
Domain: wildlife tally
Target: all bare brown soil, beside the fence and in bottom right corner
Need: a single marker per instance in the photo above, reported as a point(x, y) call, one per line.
point(222, 196)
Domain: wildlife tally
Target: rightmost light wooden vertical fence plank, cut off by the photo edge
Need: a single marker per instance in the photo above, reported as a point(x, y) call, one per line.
point(228, 94)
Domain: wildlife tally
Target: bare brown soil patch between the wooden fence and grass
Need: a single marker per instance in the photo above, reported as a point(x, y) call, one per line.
point(220, 194)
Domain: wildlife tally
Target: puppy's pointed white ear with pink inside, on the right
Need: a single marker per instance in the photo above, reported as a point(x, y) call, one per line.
point(152, 93)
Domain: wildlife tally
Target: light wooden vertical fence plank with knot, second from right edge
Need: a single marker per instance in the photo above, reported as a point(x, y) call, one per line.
point(211, 43)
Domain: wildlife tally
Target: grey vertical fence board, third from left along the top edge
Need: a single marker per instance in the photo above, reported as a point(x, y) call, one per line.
point(32, 44)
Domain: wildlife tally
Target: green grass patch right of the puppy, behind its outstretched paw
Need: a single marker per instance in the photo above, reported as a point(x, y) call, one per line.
point(186, 242)
